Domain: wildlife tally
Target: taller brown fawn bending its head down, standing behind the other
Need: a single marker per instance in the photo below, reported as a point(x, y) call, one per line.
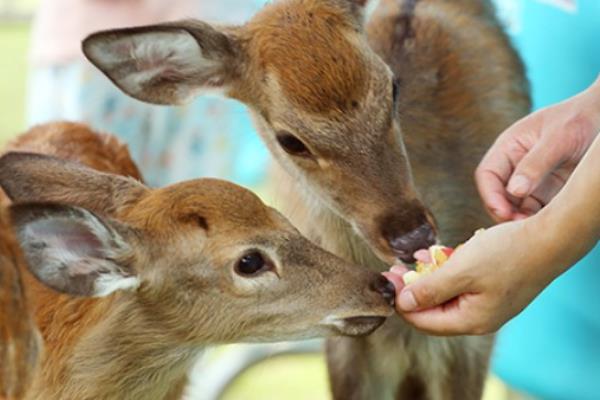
point(341, 105)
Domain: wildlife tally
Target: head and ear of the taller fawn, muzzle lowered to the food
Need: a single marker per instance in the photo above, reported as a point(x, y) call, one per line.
point(324, 103)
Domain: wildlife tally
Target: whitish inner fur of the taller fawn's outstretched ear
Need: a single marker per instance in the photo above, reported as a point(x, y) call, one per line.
point(173, 56)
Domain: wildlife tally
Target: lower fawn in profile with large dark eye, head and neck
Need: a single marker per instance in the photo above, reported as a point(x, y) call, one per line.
point(172, 270)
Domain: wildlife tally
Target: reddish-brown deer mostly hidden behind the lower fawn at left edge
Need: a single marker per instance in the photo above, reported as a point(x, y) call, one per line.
point(20, 341)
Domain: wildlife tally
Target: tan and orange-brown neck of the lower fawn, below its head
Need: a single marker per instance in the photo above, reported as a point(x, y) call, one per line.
point(105, 348)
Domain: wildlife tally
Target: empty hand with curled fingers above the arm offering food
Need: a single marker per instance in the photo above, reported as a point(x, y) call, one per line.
point(530, 162)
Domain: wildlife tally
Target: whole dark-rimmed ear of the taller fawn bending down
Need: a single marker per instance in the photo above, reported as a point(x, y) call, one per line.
point(166, 64)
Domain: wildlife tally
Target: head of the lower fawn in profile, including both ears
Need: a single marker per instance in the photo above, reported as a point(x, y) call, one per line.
point(212, 262)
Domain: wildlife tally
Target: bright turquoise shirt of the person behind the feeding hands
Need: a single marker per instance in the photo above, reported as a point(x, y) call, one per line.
point(552, 349)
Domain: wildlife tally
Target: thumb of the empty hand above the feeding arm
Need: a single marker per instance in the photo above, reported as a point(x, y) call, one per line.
point(541, 160)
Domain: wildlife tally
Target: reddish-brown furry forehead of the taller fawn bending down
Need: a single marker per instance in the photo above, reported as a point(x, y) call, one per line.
point(315, 52)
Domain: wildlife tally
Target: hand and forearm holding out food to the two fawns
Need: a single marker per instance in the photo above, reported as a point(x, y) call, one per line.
point(499, 271)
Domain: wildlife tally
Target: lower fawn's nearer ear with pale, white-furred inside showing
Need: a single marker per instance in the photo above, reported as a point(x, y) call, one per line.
point(74, 251)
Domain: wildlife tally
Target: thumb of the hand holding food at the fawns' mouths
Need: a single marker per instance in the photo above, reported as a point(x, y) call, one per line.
point(432, 290)
